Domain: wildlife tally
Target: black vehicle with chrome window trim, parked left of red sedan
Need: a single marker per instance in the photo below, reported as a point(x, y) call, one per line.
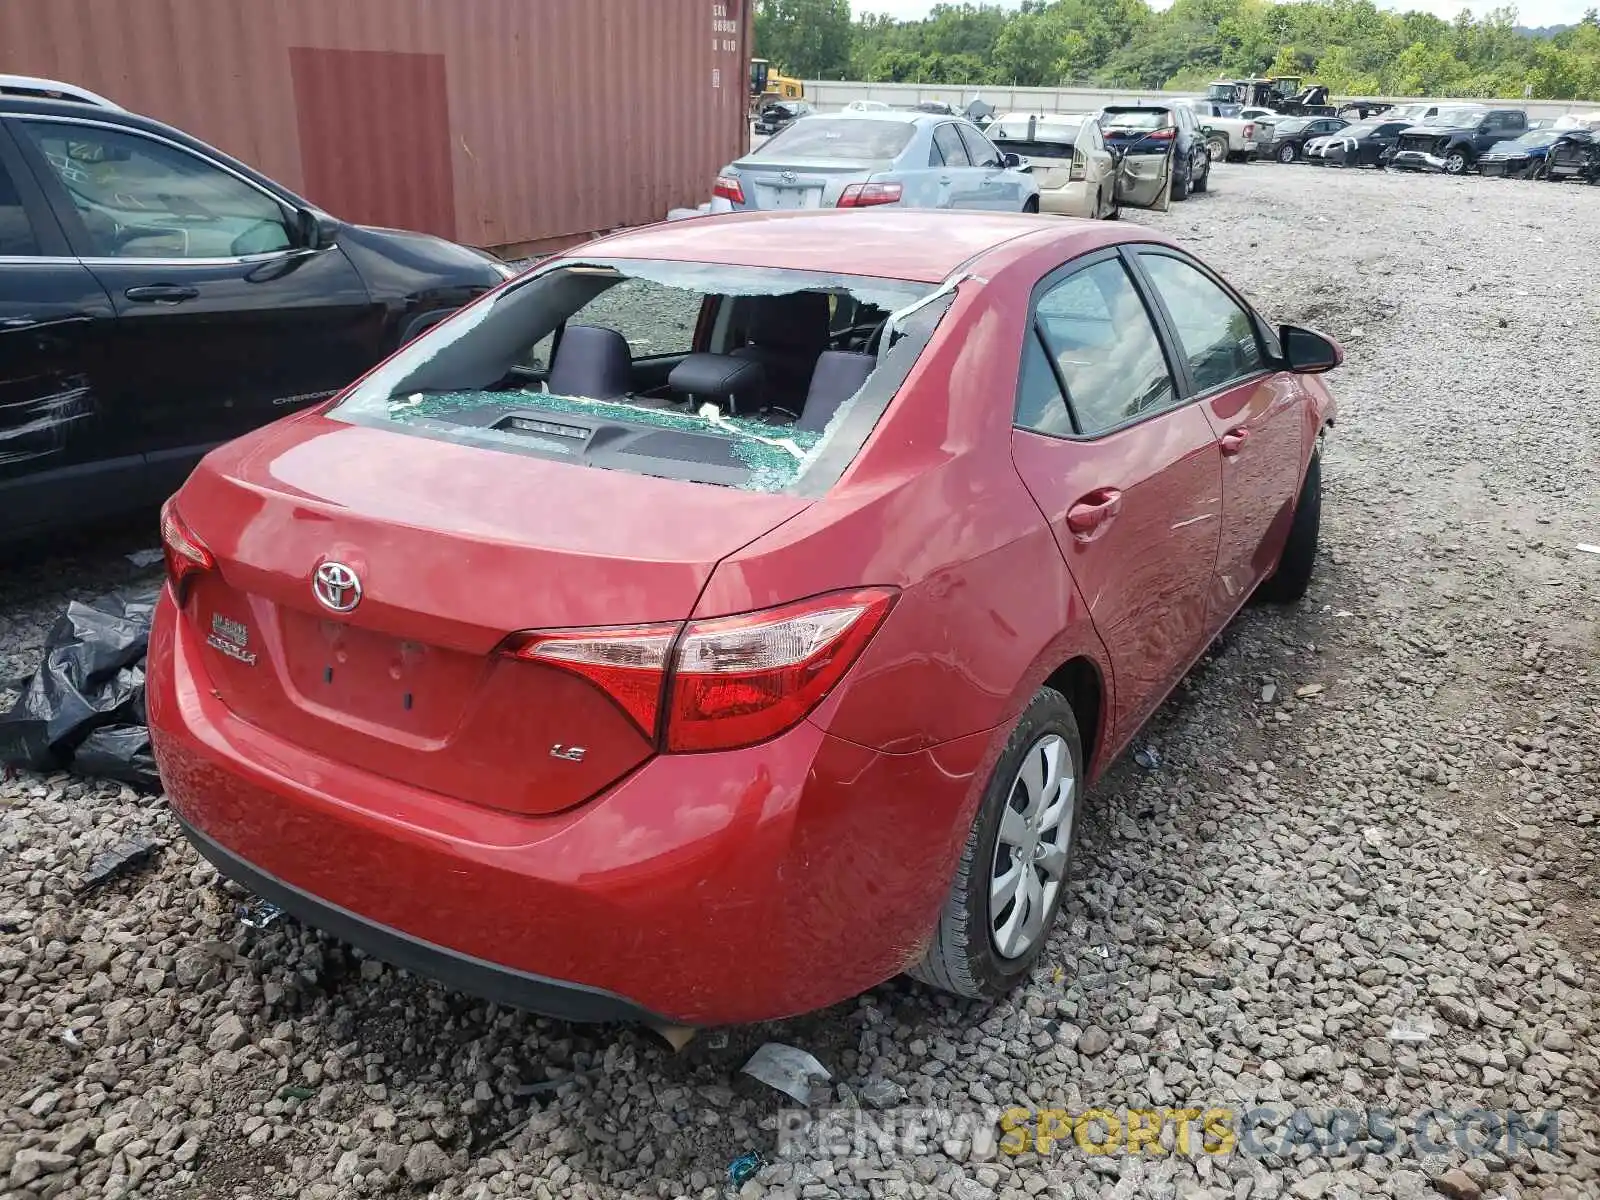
point(159, 298)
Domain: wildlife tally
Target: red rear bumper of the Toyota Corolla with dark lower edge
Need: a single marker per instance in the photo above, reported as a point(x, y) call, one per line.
point(705, 889)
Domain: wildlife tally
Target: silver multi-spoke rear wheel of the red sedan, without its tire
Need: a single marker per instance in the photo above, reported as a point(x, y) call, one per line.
point(1031, 849)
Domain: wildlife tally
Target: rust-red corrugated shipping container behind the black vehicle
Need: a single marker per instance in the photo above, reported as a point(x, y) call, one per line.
point(513, 124)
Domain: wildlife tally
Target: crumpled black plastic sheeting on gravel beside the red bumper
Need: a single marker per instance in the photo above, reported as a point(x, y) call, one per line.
point(84, 708)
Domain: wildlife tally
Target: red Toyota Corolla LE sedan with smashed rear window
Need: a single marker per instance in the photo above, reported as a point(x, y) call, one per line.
point(727, 617)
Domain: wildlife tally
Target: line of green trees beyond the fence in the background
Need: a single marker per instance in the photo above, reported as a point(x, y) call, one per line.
point(1351, 46)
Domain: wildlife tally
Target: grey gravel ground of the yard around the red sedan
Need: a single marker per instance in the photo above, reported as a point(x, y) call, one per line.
point(1375, 814)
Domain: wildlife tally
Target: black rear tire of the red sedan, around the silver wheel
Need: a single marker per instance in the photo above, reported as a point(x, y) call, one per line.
point(964, 956)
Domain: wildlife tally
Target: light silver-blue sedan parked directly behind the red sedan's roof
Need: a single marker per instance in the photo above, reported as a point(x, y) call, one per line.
point(865, 159)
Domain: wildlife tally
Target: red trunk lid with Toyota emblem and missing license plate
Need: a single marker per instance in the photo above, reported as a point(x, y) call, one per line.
point(455, 548)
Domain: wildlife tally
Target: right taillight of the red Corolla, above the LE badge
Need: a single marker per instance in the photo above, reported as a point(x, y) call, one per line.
point(730, 681)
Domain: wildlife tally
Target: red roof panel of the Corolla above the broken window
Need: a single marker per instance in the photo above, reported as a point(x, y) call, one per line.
point(911, 244)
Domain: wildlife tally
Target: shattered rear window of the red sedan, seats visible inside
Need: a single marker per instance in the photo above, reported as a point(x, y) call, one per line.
point(745, 377)
